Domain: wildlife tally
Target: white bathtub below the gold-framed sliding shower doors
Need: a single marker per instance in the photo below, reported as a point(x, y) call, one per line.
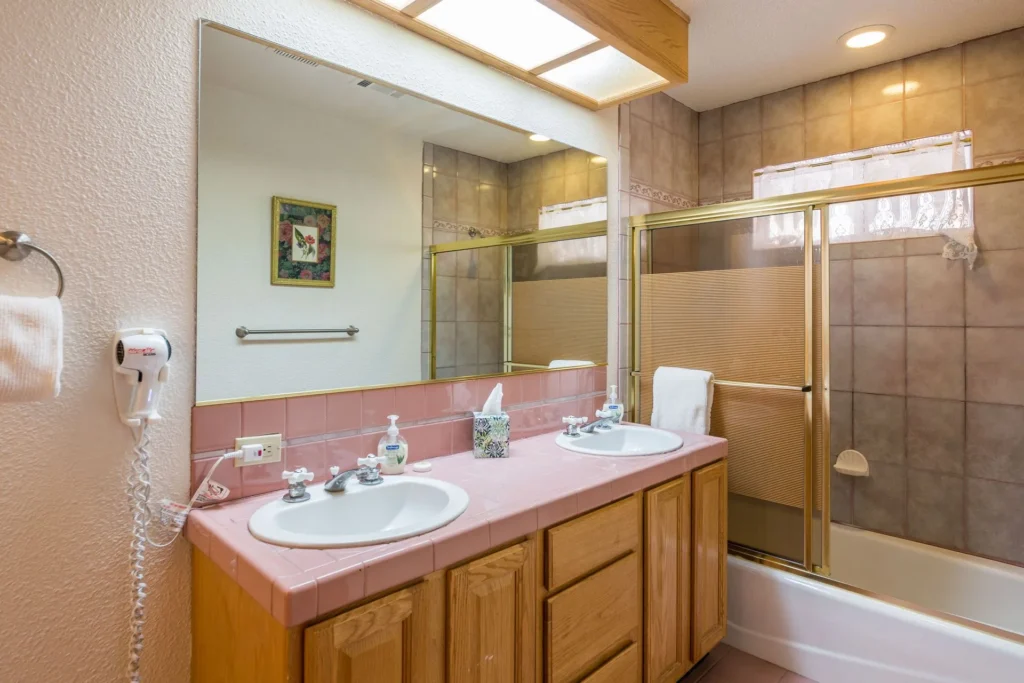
point(833, 635)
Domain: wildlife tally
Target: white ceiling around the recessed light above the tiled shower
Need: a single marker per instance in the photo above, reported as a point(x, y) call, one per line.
point(745, 49)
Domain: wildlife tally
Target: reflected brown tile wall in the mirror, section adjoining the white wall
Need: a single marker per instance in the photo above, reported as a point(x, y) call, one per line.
point(463, 196)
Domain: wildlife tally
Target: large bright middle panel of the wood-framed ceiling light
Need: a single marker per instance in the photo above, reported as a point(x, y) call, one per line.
point(525, 33)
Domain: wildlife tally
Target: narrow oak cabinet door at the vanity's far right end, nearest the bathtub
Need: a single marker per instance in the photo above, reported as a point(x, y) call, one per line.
point(710, 558)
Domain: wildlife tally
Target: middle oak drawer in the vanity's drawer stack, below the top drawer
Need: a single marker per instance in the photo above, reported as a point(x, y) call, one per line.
point(592, 621)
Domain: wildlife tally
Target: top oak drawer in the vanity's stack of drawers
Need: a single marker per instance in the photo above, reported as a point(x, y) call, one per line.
point(582, 545)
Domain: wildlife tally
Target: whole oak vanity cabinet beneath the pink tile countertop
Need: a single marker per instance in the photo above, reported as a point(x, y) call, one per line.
point(633, 591)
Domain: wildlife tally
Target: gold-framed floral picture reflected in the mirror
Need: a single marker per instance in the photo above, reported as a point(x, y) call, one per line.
point(303, 236)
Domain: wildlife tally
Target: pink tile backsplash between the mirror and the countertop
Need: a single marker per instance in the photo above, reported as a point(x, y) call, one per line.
point(328, 430)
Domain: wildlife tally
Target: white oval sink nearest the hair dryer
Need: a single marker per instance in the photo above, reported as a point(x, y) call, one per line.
point(399, 508)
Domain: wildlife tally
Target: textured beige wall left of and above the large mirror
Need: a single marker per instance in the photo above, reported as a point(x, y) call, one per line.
point(98, 161)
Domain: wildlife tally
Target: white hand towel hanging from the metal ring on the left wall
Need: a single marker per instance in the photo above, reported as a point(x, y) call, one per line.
point(31, 349)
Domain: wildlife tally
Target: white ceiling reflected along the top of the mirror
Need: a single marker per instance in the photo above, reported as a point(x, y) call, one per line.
point(242, 65)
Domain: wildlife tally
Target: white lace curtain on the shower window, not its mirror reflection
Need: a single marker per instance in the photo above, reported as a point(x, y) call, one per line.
point(950, 214)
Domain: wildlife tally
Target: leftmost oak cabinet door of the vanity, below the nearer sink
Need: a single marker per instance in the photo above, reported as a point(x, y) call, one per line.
point(396, 639)
